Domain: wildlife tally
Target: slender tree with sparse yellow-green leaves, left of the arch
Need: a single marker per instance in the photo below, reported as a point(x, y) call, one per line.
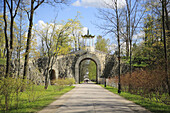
point(56, 42)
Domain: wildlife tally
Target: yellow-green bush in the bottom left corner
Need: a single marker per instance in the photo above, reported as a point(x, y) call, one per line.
point(9, 91)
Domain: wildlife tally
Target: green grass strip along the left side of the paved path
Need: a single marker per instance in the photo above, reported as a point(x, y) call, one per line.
point(42, 99)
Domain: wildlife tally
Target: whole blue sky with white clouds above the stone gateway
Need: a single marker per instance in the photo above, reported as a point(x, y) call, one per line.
point(87, 8)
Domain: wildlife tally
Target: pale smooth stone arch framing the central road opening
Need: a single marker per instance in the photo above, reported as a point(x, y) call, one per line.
point(87, 56)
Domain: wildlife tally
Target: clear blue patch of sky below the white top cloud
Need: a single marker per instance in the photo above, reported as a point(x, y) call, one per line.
point(47, 13)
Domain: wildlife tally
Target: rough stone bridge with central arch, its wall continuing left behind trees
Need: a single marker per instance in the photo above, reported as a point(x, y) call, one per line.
point(69, 66)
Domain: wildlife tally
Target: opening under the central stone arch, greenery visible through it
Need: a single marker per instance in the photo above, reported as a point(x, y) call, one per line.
point(87, 71)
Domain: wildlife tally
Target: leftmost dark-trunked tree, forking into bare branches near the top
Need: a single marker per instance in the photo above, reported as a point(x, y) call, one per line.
point(13, 9)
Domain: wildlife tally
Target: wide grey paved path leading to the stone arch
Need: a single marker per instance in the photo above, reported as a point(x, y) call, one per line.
point(92, 98)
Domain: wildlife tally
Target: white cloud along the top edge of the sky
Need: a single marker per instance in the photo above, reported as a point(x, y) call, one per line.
point(98, 3)
